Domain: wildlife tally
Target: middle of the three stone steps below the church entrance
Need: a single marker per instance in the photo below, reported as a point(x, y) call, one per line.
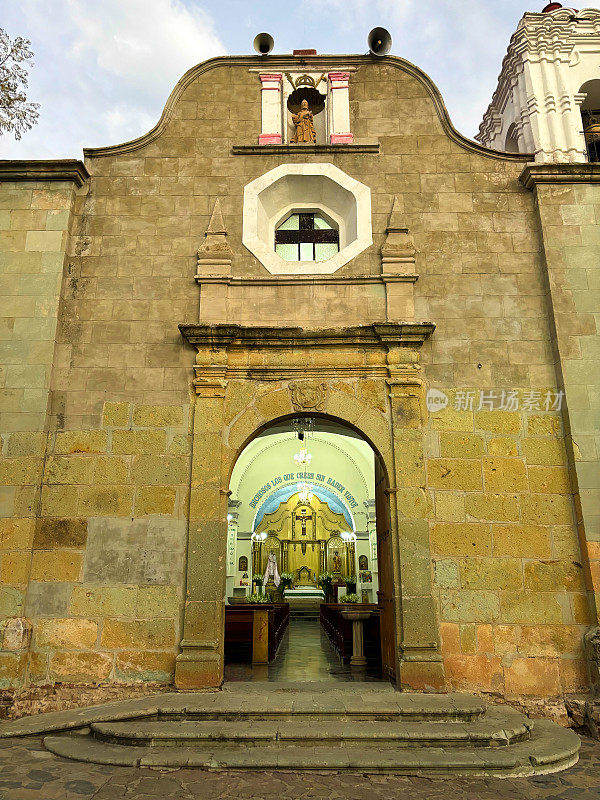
point(500, 727)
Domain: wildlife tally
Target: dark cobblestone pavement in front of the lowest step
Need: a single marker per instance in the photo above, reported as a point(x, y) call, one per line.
point(28, 772)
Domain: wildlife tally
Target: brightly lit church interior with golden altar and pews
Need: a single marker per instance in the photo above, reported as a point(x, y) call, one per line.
point(302, 533)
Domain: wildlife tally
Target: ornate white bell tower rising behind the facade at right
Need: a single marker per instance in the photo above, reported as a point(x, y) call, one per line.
point(548, 97)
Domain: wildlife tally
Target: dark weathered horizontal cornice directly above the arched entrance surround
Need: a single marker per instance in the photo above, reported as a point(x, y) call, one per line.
point(388, 334)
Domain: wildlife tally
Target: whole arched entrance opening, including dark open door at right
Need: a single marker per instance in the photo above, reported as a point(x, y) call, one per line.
point(309, 493)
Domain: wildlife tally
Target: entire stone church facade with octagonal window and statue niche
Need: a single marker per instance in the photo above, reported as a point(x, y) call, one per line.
point(173, 299)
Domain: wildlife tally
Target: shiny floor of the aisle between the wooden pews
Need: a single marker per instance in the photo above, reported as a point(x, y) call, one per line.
point(305, 654)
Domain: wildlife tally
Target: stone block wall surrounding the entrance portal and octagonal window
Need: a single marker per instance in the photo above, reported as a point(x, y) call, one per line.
point(101, 544)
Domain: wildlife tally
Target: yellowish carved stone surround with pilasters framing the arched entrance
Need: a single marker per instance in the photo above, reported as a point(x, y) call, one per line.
point(366, 377)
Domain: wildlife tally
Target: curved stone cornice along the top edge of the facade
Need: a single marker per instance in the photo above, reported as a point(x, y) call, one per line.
point(309, 63)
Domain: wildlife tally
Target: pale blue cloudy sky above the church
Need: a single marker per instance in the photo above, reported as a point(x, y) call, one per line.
point(103, 69)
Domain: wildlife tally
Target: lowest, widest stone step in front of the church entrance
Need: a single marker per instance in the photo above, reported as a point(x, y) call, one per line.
point(549, 749)
